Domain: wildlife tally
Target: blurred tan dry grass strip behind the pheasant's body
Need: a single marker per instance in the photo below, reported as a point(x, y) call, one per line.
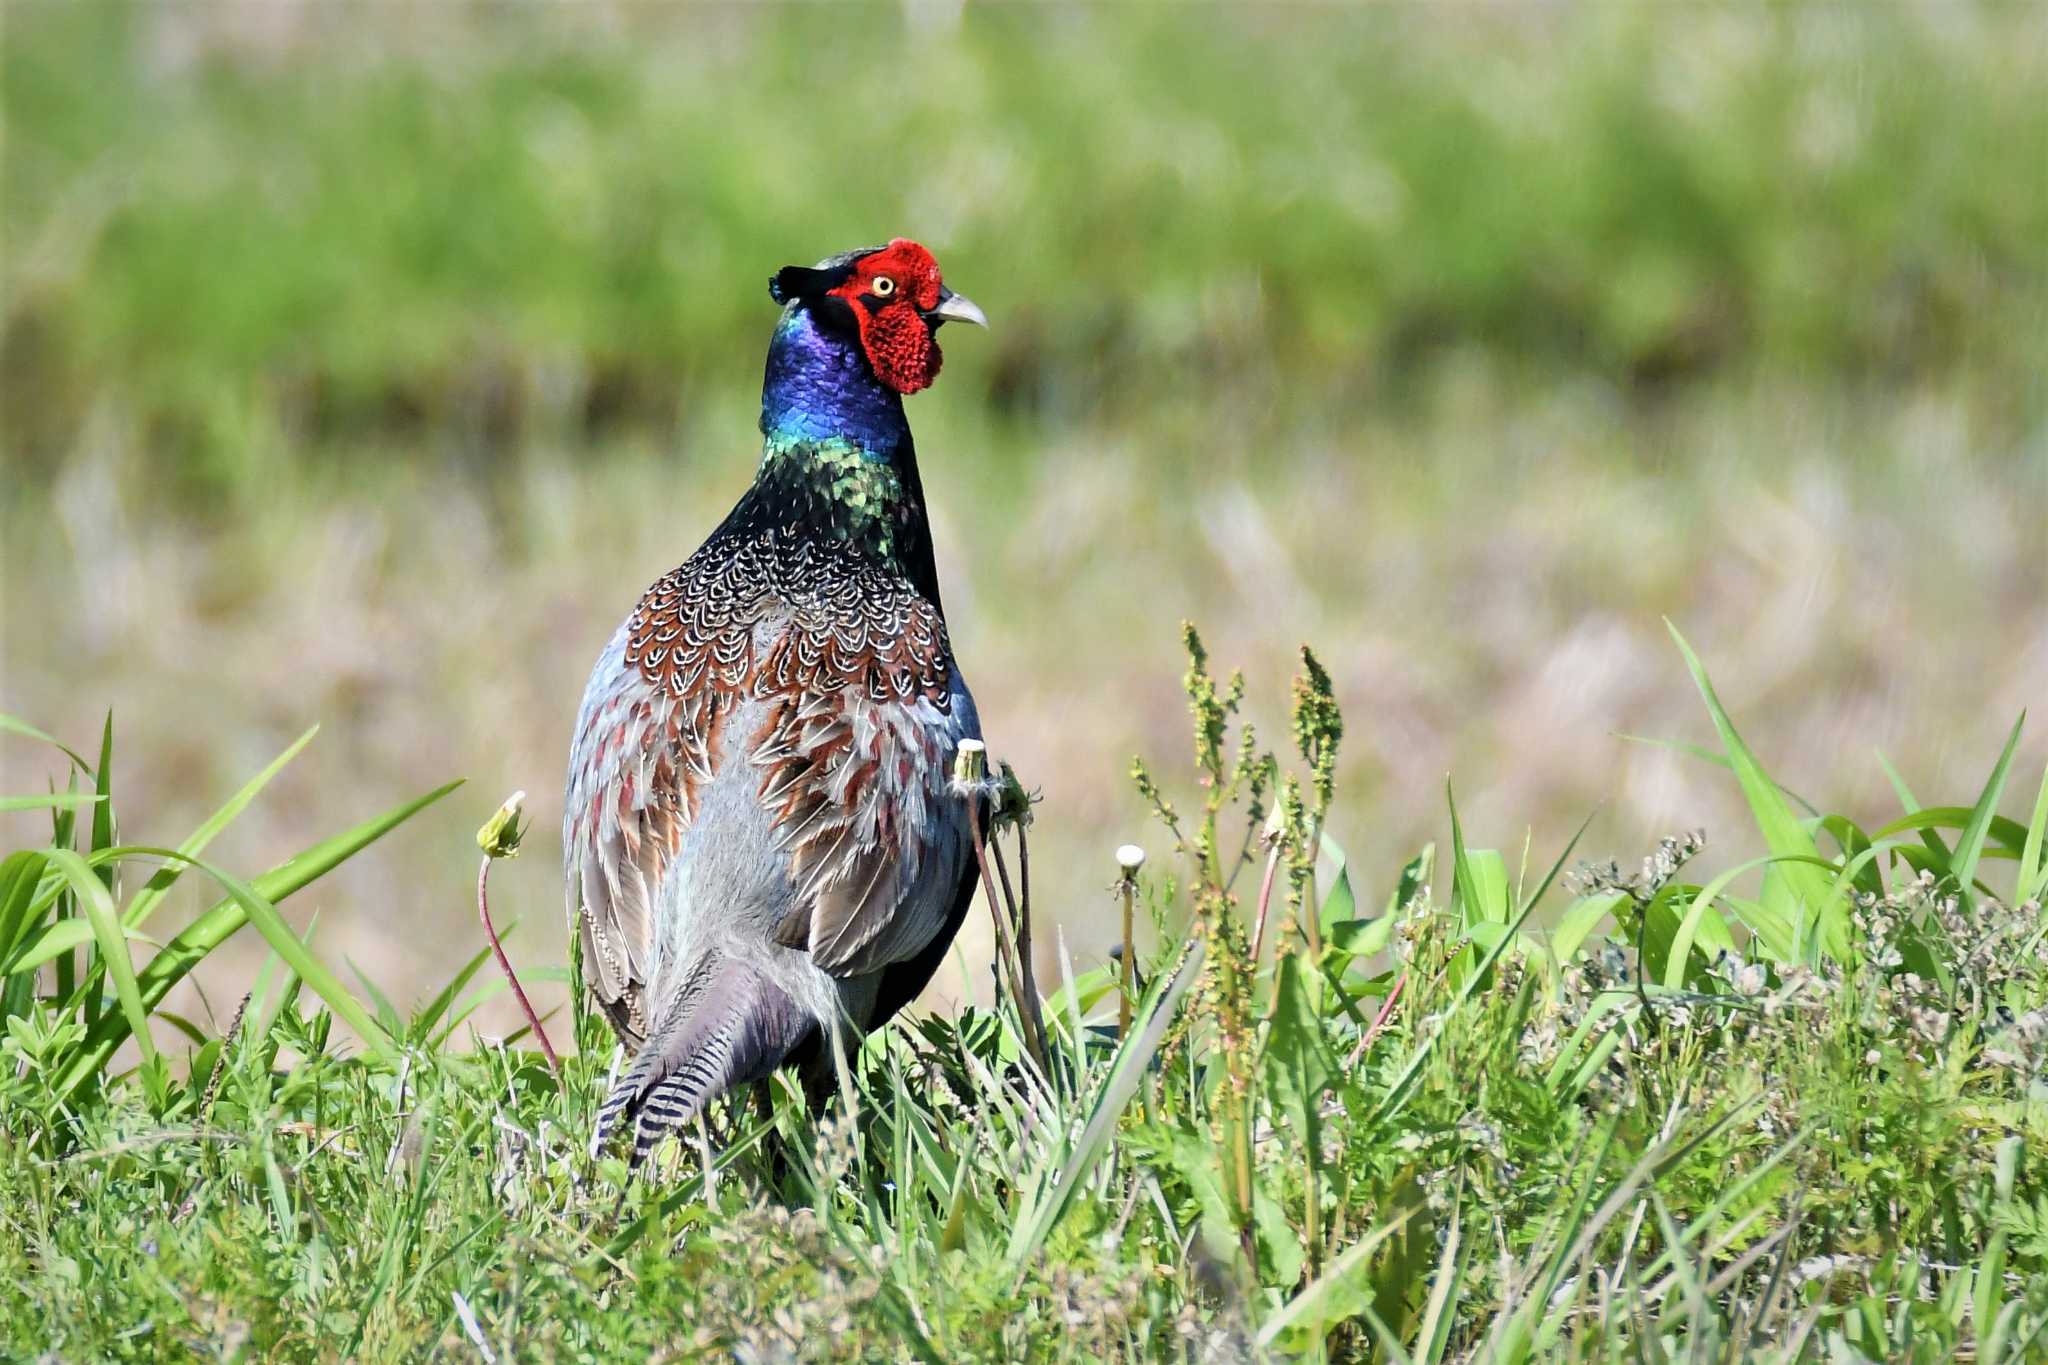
point(1486, 584)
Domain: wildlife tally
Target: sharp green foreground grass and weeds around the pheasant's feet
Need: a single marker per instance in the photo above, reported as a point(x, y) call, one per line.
point(1471, 1108)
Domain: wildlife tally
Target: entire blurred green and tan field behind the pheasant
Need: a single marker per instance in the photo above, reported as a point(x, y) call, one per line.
point(366, 361)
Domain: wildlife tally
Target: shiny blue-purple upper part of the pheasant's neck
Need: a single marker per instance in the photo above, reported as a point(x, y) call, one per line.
point(820, 392)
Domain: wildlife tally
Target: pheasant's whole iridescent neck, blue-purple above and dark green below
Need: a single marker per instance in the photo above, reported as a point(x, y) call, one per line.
point(837, 451)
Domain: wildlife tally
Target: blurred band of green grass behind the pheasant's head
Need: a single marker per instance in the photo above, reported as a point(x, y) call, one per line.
point(507, 230)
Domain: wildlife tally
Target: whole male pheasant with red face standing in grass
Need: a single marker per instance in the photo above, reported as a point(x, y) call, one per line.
point(759, 836)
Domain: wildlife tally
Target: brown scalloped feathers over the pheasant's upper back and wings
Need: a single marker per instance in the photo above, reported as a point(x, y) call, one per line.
point(697, 648)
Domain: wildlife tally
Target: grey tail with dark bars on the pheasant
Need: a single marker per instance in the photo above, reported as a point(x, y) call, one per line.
point(724, 1026)
